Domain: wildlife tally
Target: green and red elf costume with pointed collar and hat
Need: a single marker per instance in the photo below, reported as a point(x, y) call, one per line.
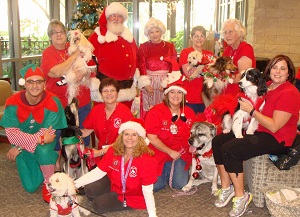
point(24, 124)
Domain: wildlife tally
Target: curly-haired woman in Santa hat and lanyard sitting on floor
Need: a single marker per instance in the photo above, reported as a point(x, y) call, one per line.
point(124, 177)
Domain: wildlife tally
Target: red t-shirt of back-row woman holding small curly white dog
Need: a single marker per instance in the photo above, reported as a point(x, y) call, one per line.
point(194, 87)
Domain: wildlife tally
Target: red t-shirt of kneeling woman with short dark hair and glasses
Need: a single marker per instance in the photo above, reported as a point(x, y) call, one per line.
point(106, 130)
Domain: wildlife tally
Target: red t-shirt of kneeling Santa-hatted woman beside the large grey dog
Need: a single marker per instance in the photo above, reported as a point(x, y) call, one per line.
point(158, 122)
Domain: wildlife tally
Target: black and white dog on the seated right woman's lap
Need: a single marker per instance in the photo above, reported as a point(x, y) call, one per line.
point(254, 88)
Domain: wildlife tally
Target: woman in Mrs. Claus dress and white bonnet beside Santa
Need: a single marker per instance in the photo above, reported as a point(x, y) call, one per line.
point(153, 70)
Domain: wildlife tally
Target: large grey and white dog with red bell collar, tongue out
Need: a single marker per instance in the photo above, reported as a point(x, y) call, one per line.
point(203, 167)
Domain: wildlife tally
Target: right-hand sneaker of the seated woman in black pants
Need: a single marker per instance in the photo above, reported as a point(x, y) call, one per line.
point(240, 205)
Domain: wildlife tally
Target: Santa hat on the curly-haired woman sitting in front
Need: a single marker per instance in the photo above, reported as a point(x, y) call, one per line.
point(137, 125)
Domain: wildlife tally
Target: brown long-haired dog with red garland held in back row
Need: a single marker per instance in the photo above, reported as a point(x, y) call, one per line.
point(216, 78)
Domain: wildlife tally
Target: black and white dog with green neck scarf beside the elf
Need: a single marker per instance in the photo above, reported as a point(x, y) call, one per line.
point(72, 144)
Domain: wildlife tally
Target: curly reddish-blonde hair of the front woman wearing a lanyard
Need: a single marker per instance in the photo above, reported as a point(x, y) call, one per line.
point(140, 148)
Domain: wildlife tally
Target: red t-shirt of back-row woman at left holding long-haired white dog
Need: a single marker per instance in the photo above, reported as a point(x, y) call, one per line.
point(50, 58)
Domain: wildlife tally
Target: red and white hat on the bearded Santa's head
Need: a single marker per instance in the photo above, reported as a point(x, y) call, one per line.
point(113, 8)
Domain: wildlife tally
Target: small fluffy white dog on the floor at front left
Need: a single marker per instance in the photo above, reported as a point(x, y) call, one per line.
point(64, 201)
